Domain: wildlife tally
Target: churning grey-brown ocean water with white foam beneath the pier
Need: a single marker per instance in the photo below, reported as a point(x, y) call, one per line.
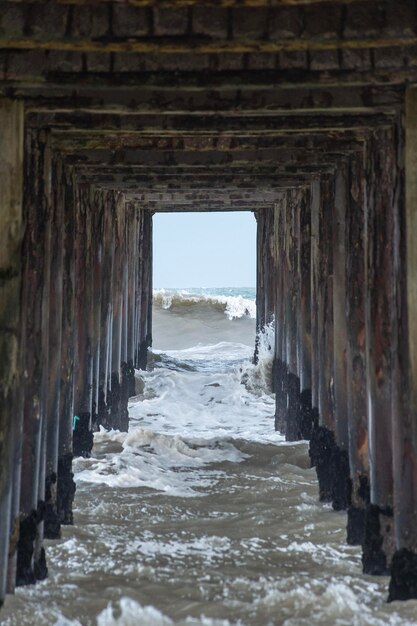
point(201, 514)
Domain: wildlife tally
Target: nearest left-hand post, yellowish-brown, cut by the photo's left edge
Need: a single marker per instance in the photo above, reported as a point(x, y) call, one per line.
point(11, 185)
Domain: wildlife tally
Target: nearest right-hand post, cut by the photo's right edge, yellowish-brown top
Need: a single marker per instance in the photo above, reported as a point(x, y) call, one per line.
point(403, 584)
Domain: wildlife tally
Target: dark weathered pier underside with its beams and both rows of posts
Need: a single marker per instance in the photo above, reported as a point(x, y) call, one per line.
point(302, 111)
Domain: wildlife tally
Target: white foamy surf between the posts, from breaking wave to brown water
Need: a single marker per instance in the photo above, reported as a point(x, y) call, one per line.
point(196, 402)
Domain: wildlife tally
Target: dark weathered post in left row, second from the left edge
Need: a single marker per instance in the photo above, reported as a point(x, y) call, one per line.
point(35, 335)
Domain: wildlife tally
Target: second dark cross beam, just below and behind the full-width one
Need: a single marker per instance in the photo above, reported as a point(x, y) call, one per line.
point(378, 105)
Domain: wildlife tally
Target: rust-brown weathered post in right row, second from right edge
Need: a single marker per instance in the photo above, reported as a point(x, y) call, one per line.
point(380, 331)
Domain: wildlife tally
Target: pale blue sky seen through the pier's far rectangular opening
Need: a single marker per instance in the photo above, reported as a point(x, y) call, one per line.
point(204, 249)
